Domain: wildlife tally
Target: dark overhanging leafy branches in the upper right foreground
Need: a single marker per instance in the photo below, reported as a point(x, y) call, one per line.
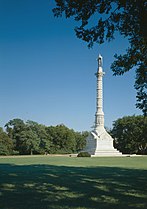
point(128, 17)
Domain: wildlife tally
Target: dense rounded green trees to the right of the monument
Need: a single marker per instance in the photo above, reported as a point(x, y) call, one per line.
point(130, 134)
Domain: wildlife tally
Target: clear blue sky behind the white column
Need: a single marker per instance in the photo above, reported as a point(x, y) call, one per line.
point(47, 73)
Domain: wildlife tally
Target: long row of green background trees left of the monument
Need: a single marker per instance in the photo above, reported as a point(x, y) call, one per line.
point(32, 138)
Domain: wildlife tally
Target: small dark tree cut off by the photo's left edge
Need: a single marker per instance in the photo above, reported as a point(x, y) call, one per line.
point(6, 144)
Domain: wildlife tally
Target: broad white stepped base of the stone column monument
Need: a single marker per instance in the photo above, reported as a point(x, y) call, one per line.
point(100, 143)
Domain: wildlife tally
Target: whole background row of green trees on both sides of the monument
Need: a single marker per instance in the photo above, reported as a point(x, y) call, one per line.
point(129, 133)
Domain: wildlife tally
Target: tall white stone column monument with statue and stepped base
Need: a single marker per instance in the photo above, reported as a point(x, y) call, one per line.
point(99, 142)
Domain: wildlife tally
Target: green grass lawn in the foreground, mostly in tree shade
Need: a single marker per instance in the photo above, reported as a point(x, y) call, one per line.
point(44, 182)
